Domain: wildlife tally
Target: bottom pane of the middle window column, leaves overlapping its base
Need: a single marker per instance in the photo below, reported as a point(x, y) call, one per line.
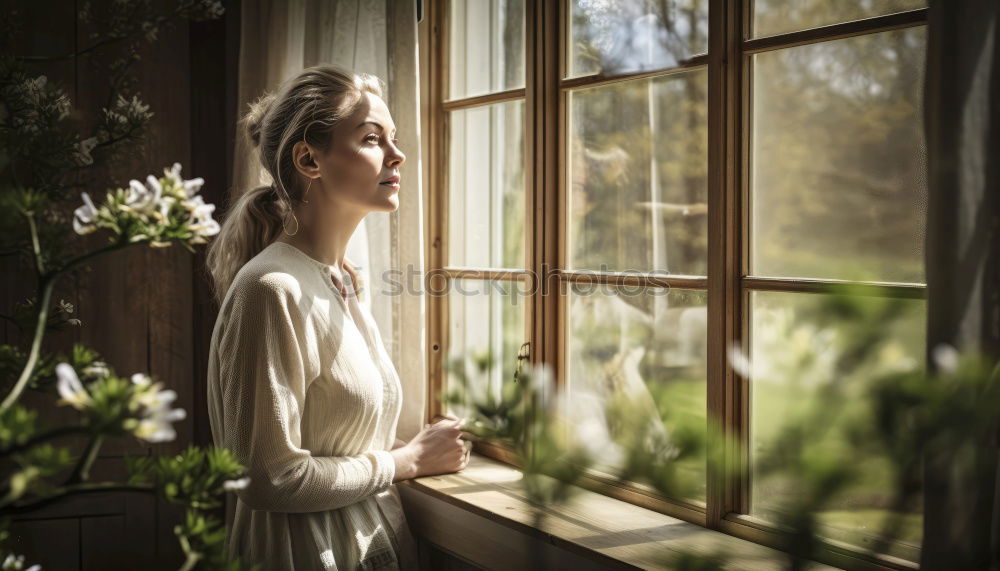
point(649, 345)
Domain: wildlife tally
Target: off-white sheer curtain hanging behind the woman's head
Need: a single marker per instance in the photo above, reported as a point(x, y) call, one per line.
point(281, 37)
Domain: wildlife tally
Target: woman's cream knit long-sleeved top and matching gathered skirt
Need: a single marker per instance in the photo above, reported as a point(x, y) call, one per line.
point(302, 390)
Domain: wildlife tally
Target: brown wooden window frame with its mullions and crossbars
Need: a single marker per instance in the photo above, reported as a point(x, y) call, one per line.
point(729, 280)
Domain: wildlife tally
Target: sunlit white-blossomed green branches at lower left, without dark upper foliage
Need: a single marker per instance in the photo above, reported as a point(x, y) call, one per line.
point(158, 212)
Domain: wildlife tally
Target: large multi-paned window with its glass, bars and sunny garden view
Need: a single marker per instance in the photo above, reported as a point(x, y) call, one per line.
point(797, 166)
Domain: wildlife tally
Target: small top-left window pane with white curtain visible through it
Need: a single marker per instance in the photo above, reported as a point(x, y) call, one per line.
point(486, 47)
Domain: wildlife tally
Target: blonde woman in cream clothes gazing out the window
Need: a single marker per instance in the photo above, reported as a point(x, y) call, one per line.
point(300, 387)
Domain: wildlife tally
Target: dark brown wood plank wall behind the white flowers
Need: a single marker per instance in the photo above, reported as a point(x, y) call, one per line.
point(143, 309)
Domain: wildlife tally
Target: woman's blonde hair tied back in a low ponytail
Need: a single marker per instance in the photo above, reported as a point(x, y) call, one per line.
point(305, 108)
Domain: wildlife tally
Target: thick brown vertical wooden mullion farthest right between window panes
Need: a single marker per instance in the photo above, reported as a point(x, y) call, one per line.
point(727, 394)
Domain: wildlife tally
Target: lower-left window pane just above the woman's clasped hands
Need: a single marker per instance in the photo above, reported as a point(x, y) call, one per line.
point(486, 318)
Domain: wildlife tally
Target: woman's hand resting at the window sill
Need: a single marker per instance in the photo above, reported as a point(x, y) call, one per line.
point(437, 449)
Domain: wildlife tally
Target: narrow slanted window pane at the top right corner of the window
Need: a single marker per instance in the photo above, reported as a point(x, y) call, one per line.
point(772, 17)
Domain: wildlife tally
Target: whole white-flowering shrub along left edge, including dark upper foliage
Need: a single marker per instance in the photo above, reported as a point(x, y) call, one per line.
point(42, 156)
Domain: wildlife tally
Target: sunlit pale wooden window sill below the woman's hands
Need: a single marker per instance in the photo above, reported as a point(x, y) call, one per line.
point(478, 514)
